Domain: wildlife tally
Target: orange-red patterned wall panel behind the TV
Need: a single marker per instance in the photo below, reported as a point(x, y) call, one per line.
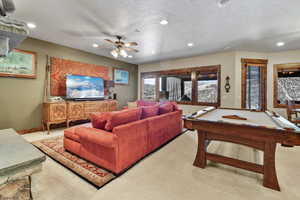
point(61, 67)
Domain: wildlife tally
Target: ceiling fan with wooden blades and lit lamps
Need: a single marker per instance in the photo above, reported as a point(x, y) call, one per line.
point(121, 48)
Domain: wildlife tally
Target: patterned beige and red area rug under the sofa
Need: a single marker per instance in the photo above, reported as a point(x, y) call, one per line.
point(54, 148)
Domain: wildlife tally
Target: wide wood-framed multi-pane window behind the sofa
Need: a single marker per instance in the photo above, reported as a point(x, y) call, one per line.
point(194, 86)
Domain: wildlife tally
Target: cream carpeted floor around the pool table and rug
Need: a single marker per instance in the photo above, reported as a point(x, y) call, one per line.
point(168, 174)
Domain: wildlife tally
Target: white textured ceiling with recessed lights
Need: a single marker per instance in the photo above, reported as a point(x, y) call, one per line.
point(254, 25)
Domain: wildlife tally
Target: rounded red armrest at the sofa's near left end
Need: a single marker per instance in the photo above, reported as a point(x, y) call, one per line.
point(96, 136)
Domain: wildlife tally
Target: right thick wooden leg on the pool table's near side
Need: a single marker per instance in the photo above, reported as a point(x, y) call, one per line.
point(270, 177)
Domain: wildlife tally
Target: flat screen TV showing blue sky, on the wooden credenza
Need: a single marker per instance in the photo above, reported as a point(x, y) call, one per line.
point(84, 87)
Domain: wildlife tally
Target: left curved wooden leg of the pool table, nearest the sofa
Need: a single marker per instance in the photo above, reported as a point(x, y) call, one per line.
point(200, 160)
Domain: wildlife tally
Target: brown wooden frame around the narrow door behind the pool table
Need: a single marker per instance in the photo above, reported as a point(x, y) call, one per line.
point(258, 63)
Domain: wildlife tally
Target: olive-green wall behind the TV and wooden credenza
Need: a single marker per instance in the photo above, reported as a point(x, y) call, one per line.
point(21, 99)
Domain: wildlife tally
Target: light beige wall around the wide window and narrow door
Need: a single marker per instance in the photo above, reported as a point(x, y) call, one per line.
point(230, 66)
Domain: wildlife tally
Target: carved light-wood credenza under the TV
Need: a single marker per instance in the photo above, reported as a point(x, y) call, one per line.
point(69, 111)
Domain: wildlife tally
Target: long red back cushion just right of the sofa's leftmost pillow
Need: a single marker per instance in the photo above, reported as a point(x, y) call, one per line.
point(122, 117)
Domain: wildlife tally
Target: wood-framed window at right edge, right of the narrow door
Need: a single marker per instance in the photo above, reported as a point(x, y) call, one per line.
point(286, 84)
